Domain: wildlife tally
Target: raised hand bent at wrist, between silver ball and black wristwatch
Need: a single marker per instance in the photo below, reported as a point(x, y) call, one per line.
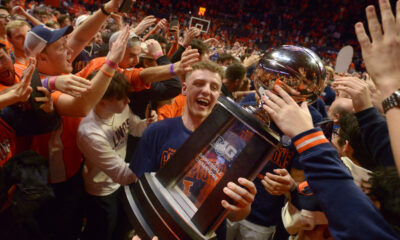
point(357, 89)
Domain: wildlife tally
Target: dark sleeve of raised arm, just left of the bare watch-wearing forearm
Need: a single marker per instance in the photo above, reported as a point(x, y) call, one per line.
point(375, 136)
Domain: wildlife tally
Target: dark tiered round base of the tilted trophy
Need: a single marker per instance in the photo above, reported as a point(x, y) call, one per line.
point(152, 211)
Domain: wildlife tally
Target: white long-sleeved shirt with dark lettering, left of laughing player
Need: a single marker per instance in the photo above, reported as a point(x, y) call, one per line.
point(103, 143)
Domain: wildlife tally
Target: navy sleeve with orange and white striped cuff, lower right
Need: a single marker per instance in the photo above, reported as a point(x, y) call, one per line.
point(350, 212)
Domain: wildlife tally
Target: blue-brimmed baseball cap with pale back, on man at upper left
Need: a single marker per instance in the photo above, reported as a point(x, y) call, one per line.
point(40, 36)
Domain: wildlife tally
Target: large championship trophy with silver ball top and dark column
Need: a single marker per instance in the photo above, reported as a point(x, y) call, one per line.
point(232, 142)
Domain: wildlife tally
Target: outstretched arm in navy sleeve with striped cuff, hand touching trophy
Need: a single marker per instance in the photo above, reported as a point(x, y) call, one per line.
point(329, 179)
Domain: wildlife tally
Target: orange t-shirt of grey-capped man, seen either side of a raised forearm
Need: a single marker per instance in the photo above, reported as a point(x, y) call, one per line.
point(133, 74)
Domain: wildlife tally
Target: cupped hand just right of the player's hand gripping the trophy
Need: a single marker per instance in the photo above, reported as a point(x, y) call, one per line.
point(278, 183)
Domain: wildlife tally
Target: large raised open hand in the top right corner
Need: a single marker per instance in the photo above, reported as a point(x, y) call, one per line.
point(381, 52)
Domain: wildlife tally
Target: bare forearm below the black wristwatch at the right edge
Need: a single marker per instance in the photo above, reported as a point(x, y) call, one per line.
point(393, 118)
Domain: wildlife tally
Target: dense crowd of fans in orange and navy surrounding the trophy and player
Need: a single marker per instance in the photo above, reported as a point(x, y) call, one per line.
point(91, 99)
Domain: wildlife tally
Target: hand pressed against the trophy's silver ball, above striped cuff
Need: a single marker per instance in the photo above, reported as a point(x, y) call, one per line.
point(287, 115)
